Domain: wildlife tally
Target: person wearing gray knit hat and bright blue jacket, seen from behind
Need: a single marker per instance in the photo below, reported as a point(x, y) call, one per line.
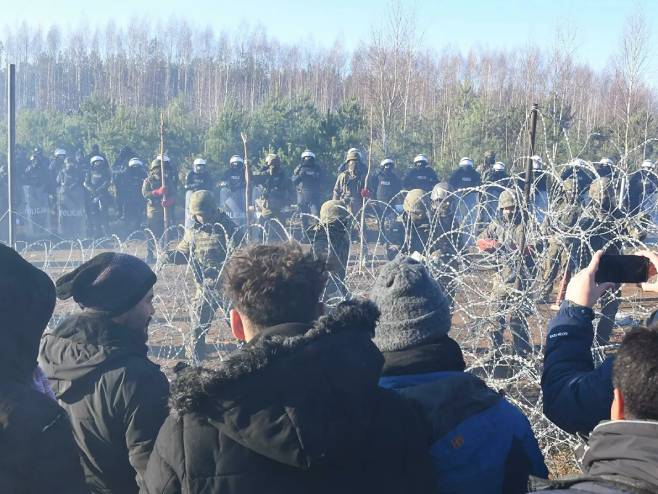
point(497, 446)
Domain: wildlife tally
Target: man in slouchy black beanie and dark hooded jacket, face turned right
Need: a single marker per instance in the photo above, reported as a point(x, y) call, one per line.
point(96, 361)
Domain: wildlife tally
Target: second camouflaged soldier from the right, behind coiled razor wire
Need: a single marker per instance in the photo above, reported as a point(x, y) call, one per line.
point(559, 229)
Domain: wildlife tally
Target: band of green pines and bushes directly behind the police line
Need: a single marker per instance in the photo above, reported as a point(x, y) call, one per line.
point(289, 126)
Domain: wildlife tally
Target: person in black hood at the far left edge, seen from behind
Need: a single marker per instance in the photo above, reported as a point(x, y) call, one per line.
point(38, 453)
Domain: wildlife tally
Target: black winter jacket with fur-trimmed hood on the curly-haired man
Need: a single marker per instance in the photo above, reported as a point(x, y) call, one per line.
point(297, 410)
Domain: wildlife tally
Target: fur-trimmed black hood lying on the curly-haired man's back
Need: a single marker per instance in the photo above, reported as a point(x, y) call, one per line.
point(294, 399)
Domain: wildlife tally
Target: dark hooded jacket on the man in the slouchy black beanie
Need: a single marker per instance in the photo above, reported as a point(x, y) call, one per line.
point(116, 397)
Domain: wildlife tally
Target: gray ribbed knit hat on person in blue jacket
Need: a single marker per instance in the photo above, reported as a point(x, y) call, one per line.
point(414, 309)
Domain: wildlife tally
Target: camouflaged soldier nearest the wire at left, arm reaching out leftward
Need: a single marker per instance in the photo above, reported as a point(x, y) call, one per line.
point(205, 248)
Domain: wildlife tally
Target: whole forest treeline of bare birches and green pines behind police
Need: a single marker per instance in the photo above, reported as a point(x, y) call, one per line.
point(391, 94)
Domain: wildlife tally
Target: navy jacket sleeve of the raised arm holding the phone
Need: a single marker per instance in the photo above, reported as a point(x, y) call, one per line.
point(577, 396)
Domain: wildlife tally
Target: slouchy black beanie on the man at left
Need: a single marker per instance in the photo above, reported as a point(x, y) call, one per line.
point(109, 282)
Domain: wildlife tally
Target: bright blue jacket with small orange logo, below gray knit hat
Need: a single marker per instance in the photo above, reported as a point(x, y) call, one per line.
point(483, 443)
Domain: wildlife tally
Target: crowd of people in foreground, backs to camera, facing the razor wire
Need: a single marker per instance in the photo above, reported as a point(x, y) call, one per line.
point(371, 395)
